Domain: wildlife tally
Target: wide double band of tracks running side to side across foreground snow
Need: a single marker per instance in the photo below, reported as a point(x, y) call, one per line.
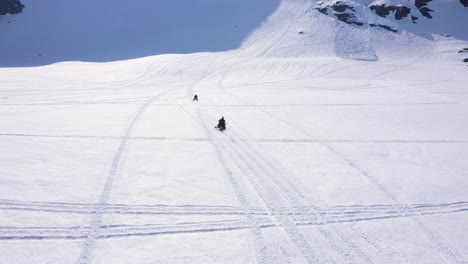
point(300, 215)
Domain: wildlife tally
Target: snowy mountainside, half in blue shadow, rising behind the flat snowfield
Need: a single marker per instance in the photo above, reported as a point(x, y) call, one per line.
point(53, 31)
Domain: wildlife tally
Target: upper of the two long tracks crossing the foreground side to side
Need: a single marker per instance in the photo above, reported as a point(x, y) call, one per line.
point(335, 211)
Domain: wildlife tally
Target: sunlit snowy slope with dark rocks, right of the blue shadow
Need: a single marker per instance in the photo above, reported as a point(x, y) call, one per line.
point(307, 31)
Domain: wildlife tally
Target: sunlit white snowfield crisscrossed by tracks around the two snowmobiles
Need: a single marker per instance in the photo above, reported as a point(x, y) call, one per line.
point(344, 144)
